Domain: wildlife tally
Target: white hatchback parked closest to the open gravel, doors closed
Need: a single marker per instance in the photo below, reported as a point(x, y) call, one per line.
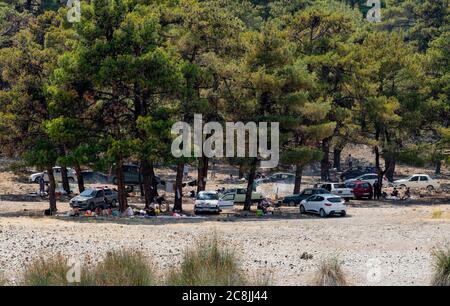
point(324, 205)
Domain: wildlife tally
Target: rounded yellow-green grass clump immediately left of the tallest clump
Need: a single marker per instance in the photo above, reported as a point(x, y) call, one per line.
point(123, 268)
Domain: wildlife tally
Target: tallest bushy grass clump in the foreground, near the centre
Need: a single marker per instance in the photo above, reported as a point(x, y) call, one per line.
point(208, 264)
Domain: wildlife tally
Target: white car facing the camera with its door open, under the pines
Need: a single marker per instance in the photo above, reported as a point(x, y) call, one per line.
point(209, 201)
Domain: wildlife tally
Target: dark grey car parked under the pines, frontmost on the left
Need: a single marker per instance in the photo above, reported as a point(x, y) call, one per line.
point(92, 198)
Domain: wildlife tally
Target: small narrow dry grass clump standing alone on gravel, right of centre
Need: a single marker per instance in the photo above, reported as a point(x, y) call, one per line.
point(330, 273)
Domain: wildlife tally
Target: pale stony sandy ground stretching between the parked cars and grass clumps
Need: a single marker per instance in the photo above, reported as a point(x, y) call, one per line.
point(379, 244)
